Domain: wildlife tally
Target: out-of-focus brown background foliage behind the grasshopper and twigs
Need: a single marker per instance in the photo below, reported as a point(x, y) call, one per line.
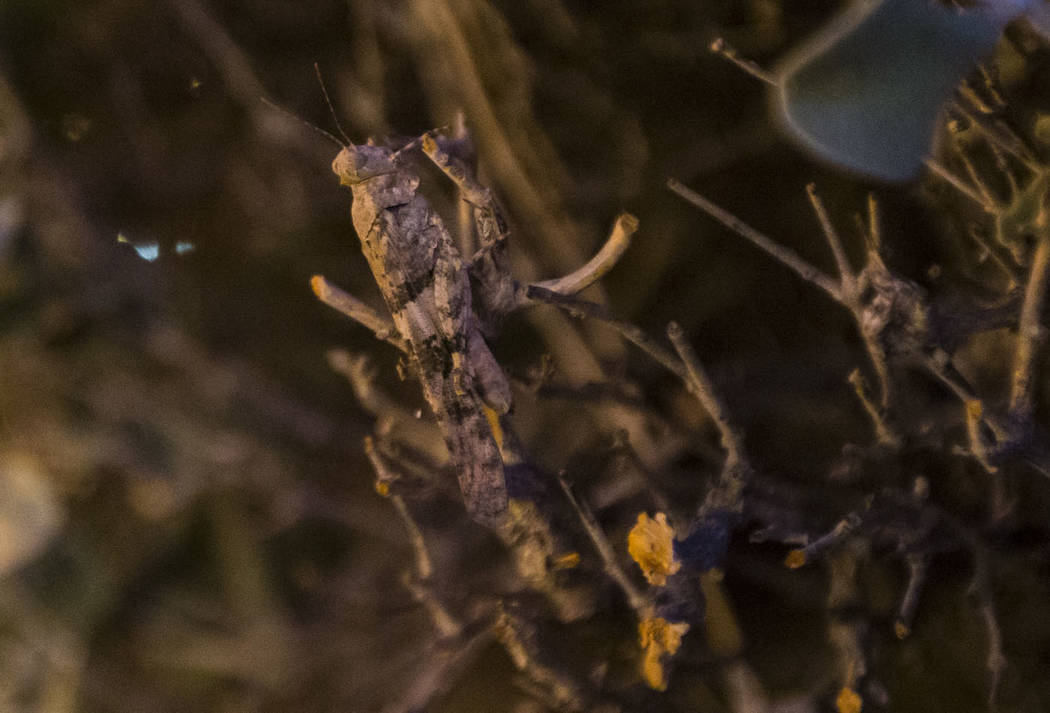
point(188, 518)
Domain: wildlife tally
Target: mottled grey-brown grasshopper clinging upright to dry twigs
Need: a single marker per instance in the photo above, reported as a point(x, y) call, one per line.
point(427, 288)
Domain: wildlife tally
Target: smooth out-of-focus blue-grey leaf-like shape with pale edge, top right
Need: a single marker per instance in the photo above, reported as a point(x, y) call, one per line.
point(867, 93)
